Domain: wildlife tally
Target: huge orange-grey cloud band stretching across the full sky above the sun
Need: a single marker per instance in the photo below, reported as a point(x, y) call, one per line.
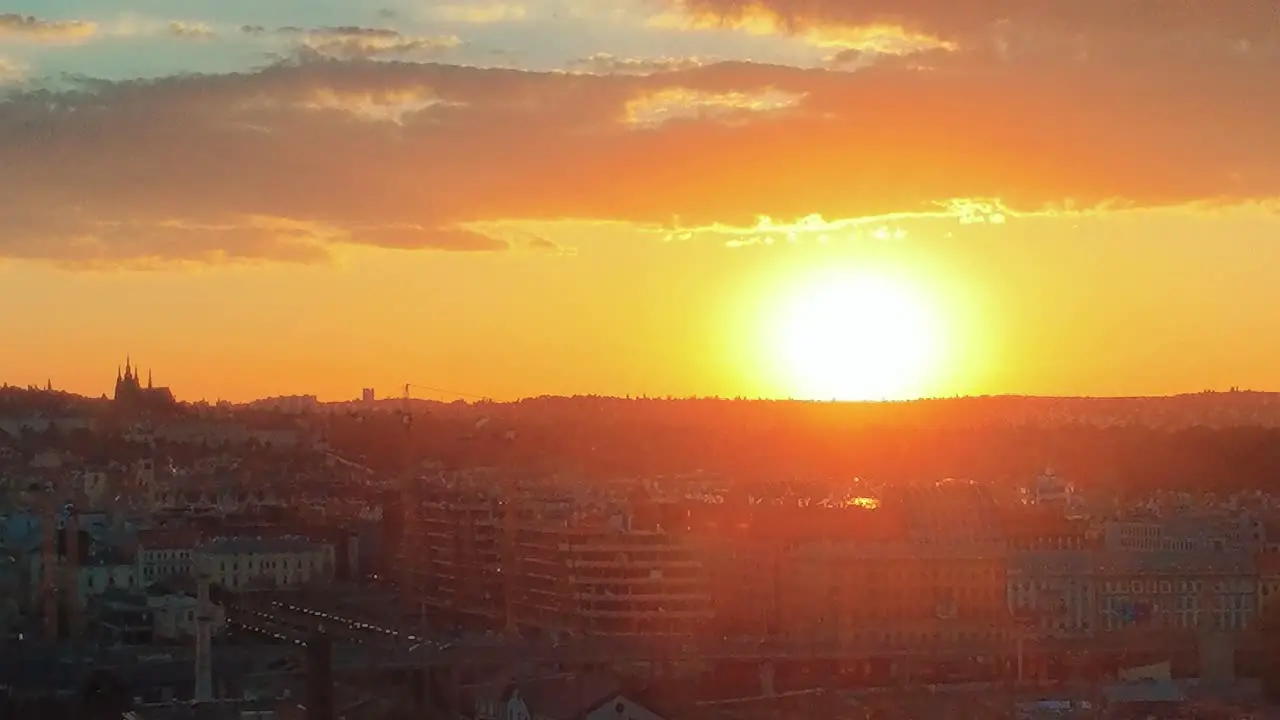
point(291, 161)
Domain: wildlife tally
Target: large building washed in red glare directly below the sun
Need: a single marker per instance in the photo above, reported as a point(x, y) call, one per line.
point(924, 569)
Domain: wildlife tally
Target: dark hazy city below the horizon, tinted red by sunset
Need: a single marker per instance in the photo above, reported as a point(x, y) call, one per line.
point(304, 559)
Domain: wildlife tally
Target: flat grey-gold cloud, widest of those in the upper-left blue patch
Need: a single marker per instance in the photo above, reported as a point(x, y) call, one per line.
point(358, 43)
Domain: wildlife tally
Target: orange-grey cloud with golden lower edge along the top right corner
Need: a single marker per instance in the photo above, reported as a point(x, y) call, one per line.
point(1103, 30)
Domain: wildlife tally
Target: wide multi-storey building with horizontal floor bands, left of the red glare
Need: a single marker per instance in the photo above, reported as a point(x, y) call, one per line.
point(551, 566)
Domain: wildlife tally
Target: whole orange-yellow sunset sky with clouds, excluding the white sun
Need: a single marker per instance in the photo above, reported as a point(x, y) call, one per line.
point(560, 197)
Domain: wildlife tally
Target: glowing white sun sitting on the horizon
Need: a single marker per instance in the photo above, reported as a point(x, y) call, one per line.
point(849, 335)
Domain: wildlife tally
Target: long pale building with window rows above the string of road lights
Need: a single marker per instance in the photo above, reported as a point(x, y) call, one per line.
point(243, 563)
